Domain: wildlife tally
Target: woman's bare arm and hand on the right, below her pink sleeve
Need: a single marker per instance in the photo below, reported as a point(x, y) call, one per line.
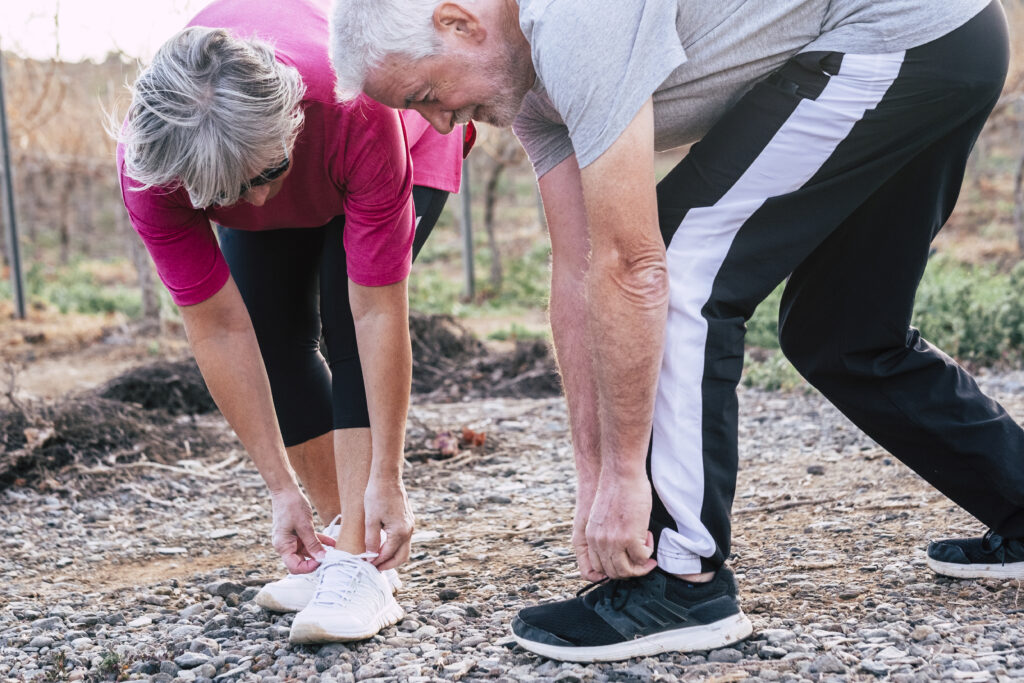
point(381, 316)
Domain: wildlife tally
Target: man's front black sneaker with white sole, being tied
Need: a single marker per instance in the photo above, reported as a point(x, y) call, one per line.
point(632, 618)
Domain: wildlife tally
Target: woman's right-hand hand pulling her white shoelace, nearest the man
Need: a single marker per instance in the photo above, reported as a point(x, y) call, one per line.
point(388, 510)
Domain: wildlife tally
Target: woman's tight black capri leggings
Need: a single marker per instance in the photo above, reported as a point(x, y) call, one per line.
point(295, 284)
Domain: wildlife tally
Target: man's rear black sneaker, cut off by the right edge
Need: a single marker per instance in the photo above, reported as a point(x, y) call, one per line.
point(989, 558)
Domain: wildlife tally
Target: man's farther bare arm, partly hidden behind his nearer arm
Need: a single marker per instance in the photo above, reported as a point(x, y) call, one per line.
point(567, 217)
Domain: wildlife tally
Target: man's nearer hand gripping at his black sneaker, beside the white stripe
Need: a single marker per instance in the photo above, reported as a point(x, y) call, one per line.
point(619, 544)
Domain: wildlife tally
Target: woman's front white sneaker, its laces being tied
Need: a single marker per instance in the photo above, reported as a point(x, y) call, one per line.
point(353, 602)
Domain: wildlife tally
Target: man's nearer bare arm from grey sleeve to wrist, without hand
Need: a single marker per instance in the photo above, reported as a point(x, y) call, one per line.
point(627, 293)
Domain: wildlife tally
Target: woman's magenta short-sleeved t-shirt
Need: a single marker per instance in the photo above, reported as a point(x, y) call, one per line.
point(358, 160)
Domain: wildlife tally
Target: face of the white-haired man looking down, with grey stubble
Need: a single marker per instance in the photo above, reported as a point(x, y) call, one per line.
point(454, 88)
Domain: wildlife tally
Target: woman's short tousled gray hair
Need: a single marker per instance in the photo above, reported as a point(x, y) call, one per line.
point(210, 113)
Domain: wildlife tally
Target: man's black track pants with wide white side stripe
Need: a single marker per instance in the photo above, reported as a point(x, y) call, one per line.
point(836, 172)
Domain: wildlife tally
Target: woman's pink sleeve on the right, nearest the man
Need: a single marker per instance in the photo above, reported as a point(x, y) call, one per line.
point(377, 176)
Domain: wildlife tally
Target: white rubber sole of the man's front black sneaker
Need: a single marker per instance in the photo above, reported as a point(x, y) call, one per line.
point(691, 639)
